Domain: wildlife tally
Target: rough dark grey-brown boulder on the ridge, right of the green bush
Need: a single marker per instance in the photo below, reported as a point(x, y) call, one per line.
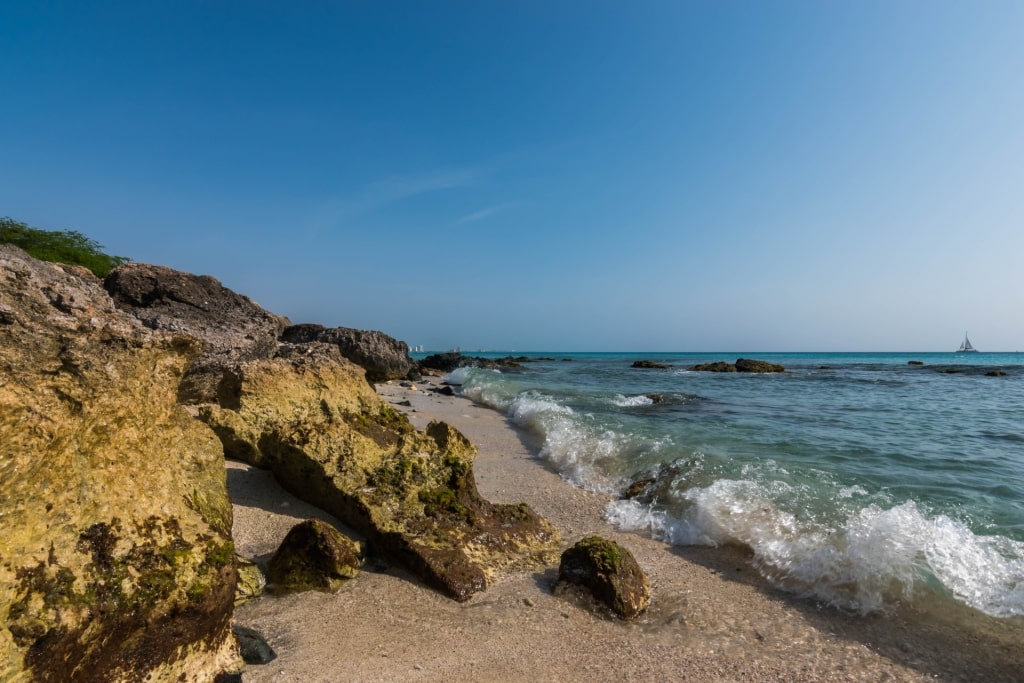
point(234, 328)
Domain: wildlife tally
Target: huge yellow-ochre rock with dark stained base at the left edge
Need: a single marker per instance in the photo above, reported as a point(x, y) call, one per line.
point(115, 548)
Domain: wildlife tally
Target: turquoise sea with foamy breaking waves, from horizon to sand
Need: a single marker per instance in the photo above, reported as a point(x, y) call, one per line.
point(856, 480)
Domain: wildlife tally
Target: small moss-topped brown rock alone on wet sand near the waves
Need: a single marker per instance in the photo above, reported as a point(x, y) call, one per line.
point(610, 573)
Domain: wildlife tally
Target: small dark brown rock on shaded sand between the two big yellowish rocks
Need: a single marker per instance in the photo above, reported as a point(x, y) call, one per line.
point(315, 557)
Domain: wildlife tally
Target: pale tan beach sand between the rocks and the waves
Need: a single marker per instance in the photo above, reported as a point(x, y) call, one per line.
point(712, 618)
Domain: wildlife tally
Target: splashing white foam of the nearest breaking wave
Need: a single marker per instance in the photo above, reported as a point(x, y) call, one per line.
point(873, 560)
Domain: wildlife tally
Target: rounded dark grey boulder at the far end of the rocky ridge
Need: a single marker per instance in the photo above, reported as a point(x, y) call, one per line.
point(383, 358)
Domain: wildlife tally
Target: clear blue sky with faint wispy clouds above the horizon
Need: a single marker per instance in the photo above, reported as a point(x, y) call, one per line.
point(545, 176)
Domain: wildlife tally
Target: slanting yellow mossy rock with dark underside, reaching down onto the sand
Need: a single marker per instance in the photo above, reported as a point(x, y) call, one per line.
point(311, 417)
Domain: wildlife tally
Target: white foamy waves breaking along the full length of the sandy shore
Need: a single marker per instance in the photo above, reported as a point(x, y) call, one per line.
point(809, 533)
